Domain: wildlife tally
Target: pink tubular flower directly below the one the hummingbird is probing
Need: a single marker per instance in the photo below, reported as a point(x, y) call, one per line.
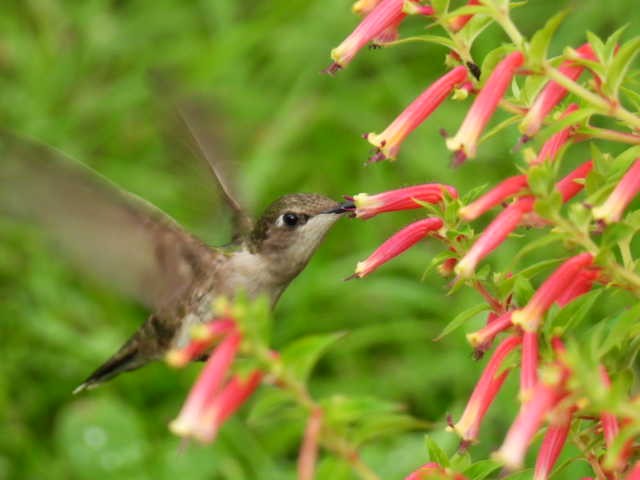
point(396, 244)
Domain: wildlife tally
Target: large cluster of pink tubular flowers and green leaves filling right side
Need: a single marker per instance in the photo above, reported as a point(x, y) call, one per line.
point(521, 334)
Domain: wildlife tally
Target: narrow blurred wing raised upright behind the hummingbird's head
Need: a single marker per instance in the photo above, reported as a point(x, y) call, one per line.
point(209, 147)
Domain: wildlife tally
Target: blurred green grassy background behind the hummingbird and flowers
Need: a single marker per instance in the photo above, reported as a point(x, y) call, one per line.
point(75, 74)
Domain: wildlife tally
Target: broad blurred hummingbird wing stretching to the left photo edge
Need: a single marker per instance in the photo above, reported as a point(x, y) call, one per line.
point(109, 233)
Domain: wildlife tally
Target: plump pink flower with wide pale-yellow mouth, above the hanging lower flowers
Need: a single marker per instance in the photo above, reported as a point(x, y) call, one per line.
point(530, 317)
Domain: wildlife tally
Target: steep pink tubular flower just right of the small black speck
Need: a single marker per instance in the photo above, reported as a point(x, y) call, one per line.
point(464, 143)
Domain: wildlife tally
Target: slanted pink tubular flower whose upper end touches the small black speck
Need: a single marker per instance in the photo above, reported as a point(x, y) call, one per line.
point(388, 142)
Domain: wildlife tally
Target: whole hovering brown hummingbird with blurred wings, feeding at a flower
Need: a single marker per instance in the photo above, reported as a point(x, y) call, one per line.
point(123, 240)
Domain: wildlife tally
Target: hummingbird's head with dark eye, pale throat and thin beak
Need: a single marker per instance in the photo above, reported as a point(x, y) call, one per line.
point(291, 229)
